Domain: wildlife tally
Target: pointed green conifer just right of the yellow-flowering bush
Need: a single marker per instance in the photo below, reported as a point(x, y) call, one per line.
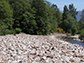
point(68, 23)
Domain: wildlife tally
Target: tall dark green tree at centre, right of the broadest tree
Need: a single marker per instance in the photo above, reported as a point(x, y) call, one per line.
point(41, 16)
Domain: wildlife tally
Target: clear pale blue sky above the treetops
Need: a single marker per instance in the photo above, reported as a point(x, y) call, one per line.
point(78, 4)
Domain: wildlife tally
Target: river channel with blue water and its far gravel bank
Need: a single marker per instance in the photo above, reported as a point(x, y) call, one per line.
point(71, 39)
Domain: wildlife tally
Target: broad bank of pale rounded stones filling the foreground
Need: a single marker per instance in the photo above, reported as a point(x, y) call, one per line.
point(24, 48)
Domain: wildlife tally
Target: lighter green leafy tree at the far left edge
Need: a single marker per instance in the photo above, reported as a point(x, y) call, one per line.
point(6, 14)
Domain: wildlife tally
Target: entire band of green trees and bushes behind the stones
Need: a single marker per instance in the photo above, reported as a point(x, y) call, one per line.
point(38, 17)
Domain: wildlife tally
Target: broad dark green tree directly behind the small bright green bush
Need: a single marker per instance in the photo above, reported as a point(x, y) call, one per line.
point(24, 16)
